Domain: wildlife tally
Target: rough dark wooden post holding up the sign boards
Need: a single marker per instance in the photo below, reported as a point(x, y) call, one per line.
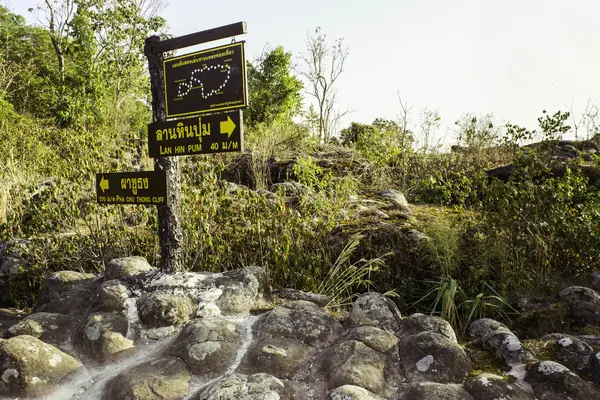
point(170, 234)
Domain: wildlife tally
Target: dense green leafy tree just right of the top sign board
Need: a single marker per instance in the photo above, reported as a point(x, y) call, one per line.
point(273, 91)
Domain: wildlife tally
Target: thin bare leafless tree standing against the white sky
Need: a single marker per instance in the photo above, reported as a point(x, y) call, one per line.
point(323, 67)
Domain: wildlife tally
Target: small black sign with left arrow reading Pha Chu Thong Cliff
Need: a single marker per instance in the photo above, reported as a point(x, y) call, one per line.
point(144, 187)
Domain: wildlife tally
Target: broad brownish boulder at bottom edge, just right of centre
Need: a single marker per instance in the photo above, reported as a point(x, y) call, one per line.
point(353, 363)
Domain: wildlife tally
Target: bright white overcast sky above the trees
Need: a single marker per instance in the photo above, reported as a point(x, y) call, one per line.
point(512, 58)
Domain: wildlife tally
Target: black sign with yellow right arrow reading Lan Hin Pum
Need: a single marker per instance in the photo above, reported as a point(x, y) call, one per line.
point(218, 133)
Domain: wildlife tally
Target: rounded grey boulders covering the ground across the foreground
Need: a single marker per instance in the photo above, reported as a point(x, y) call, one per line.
point(134, 333)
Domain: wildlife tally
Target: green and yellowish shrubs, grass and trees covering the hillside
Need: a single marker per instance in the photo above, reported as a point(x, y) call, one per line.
point(75, 102)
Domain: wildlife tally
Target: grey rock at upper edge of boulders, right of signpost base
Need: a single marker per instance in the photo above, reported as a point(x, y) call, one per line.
point(241, 289)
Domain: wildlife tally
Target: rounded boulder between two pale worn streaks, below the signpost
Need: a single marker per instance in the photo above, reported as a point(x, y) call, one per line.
point(208, 345)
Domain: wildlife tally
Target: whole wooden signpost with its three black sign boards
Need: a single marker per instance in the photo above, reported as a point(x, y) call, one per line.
point(199, 84)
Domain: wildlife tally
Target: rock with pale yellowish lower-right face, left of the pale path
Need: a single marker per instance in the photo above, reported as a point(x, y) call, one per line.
point(102, 336)
